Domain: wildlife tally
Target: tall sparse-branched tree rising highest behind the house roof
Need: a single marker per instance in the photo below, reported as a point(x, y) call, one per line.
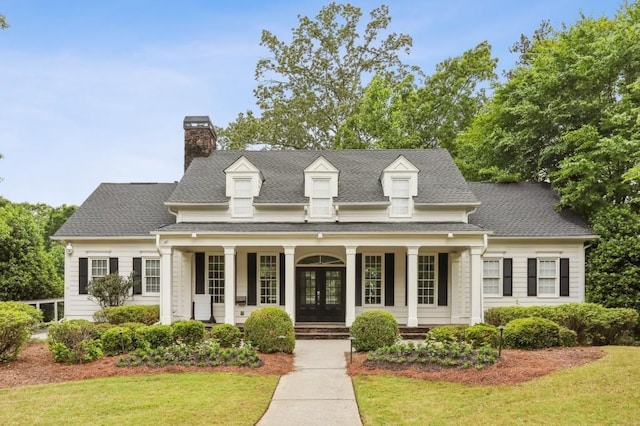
point(309, 87)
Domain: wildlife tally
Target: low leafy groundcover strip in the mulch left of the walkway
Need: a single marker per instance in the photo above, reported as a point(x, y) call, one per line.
point(207, 353)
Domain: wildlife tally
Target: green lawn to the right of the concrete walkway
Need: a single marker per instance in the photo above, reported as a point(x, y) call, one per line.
point(604, 392)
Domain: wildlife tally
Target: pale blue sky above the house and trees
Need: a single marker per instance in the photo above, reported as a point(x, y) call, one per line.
point(96, 92)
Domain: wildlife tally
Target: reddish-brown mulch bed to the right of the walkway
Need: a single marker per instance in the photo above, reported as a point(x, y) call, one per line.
point(515, 366)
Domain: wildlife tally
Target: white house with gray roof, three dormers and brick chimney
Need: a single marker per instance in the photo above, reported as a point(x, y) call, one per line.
point(325, 235)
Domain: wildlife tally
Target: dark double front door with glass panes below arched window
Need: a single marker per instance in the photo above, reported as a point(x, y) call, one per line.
point(320, 294)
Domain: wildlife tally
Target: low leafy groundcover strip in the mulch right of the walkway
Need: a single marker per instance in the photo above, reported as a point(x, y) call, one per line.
point(447, 353)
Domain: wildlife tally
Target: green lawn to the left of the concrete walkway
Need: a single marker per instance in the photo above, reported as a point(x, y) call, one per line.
point(188, 399)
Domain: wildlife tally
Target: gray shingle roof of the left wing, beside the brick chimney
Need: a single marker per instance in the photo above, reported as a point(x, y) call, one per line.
point(121, 209)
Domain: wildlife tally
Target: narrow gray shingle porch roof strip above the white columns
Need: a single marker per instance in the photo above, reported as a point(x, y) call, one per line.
point(391, 227)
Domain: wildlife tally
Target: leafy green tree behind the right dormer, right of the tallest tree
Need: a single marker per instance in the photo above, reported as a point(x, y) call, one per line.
point(410, 115)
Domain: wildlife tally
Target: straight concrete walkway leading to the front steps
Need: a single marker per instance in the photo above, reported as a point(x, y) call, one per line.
point(318, 391)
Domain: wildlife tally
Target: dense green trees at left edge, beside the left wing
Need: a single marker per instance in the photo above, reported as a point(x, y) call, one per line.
point(26, 269)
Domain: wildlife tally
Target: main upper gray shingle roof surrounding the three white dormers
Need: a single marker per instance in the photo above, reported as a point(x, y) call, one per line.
point(439, 180)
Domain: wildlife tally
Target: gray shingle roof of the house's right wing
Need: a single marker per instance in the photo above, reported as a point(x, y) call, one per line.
point(523, 210)
